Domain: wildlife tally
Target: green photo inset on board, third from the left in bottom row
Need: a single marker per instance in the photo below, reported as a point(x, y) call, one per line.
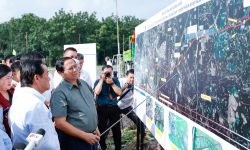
point(178, 131)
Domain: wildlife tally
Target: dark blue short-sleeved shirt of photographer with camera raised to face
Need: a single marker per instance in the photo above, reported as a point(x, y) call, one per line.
point(103, 98)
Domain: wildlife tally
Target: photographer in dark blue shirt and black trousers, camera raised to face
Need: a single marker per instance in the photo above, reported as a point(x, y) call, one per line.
point(107, 91)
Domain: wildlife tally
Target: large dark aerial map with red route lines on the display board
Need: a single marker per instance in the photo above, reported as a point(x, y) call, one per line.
point(205, 52)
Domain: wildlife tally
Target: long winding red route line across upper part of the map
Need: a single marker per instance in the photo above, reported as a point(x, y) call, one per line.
point(153, 65)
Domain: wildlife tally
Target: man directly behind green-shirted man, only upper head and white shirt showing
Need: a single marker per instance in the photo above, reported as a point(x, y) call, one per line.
point(68, 52)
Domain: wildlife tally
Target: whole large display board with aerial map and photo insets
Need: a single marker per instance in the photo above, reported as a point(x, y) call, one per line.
point(192, 62)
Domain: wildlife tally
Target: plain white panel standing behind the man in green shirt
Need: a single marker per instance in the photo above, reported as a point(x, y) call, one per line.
point(90, 61)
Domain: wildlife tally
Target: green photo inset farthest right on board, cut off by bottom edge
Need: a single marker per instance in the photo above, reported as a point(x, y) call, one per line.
point(204, 141)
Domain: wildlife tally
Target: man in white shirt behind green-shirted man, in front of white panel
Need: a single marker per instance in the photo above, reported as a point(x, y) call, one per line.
point(84, 74)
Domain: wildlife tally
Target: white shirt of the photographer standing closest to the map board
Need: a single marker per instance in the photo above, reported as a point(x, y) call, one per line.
point(127, 99)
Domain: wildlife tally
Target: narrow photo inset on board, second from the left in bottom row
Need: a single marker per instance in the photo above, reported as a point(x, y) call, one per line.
point(159, 117)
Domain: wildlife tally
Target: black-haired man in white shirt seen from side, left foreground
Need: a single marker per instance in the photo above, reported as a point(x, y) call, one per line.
point(28, 114)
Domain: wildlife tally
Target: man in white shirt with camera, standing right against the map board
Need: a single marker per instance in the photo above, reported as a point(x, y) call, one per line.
point(126, 98)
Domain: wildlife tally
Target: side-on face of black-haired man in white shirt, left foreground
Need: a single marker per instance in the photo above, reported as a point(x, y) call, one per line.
point(43, 80)
